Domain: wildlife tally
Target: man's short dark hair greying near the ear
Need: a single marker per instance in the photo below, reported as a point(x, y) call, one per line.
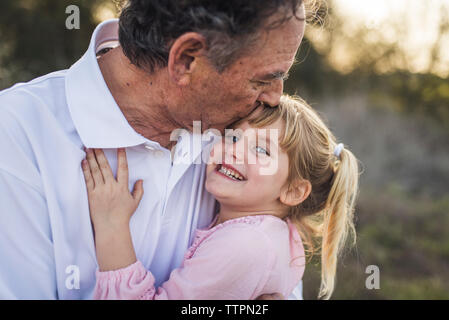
point(147, 28)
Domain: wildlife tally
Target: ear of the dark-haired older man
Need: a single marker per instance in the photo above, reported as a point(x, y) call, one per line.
point(183, 56)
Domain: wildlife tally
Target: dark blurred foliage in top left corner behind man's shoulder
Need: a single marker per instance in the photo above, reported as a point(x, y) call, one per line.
point(34, 39)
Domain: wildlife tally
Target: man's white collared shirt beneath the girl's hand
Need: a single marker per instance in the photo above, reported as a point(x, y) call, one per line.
point(46, 240)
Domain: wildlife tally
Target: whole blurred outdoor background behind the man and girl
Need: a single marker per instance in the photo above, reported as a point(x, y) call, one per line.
point(377, 71)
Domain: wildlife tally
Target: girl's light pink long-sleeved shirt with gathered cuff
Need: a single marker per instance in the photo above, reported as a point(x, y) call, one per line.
point(239, 259)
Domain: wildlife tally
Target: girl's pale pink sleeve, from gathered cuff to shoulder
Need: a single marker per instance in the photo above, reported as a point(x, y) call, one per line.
point(233, 263)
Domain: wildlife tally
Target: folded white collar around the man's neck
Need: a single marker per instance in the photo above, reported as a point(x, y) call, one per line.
point(98, 119)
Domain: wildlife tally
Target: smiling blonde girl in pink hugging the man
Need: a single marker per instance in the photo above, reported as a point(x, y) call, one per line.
point(255, 244)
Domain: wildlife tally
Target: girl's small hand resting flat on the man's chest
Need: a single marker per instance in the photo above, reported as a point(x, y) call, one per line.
point(111, 204)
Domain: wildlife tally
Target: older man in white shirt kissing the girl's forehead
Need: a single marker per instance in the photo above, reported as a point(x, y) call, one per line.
point(177, 62)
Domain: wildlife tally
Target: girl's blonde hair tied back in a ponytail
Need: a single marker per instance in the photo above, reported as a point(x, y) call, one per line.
point(327, 214)
